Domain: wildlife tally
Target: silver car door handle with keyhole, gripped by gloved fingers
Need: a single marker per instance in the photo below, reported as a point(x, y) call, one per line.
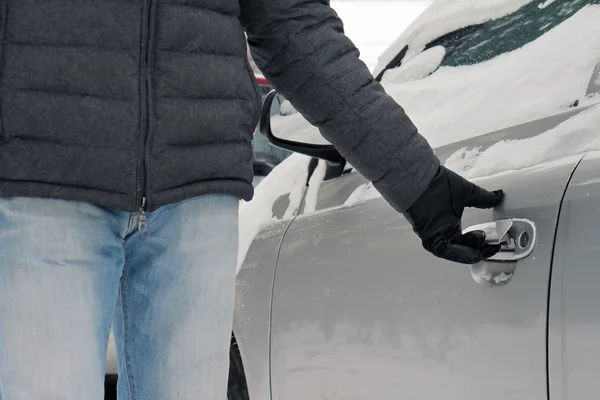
point(517, 239)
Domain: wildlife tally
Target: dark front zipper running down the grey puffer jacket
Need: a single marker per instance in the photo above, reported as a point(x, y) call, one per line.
point(145, 93)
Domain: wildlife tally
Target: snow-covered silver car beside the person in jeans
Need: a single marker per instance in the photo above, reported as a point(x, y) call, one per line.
point(336, 299)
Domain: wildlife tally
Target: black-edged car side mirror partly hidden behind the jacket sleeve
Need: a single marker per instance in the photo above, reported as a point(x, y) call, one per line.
point(284, 127)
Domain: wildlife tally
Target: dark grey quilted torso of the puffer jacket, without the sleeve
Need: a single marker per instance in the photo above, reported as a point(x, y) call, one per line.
point(125, 102)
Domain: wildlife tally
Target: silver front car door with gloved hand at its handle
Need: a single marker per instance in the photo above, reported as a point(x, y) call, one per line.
point(361, 311)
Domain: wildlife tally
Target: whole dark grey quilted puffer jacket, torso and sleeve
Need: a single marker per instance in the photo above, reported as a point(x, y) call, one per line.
point(126, 102)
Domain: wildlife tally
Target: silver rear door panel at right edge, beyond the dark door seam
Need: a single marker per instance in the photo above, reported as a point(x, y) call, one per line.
point(574, 318)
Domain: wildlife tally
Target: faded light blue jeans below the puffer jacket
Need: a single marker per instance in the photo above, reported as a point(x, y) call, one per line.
point(68, 270)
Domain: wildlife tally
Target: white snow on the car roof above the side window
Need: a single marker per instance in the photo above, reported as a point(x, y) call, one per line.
point(445, 16)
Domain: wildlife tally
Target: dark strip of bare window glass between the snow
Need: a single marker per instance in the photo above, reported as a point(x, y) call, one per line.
point(483, 42)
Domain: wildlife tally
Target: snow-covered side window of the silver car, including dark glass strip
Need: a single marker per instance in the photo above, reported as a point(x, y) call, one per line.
point(529, 64)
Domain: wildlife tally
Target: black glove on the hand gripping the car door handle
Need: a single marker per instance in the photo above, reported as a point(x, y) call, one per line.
point(436, 216)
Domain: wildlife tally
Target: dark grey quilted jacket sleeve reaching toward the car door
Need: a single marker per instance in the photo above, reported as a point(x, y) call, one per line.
point(301, 48)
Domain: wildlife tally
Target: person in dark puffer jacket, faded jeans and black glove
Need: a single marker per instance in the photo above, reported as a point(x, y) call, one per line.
point(125, 148)
